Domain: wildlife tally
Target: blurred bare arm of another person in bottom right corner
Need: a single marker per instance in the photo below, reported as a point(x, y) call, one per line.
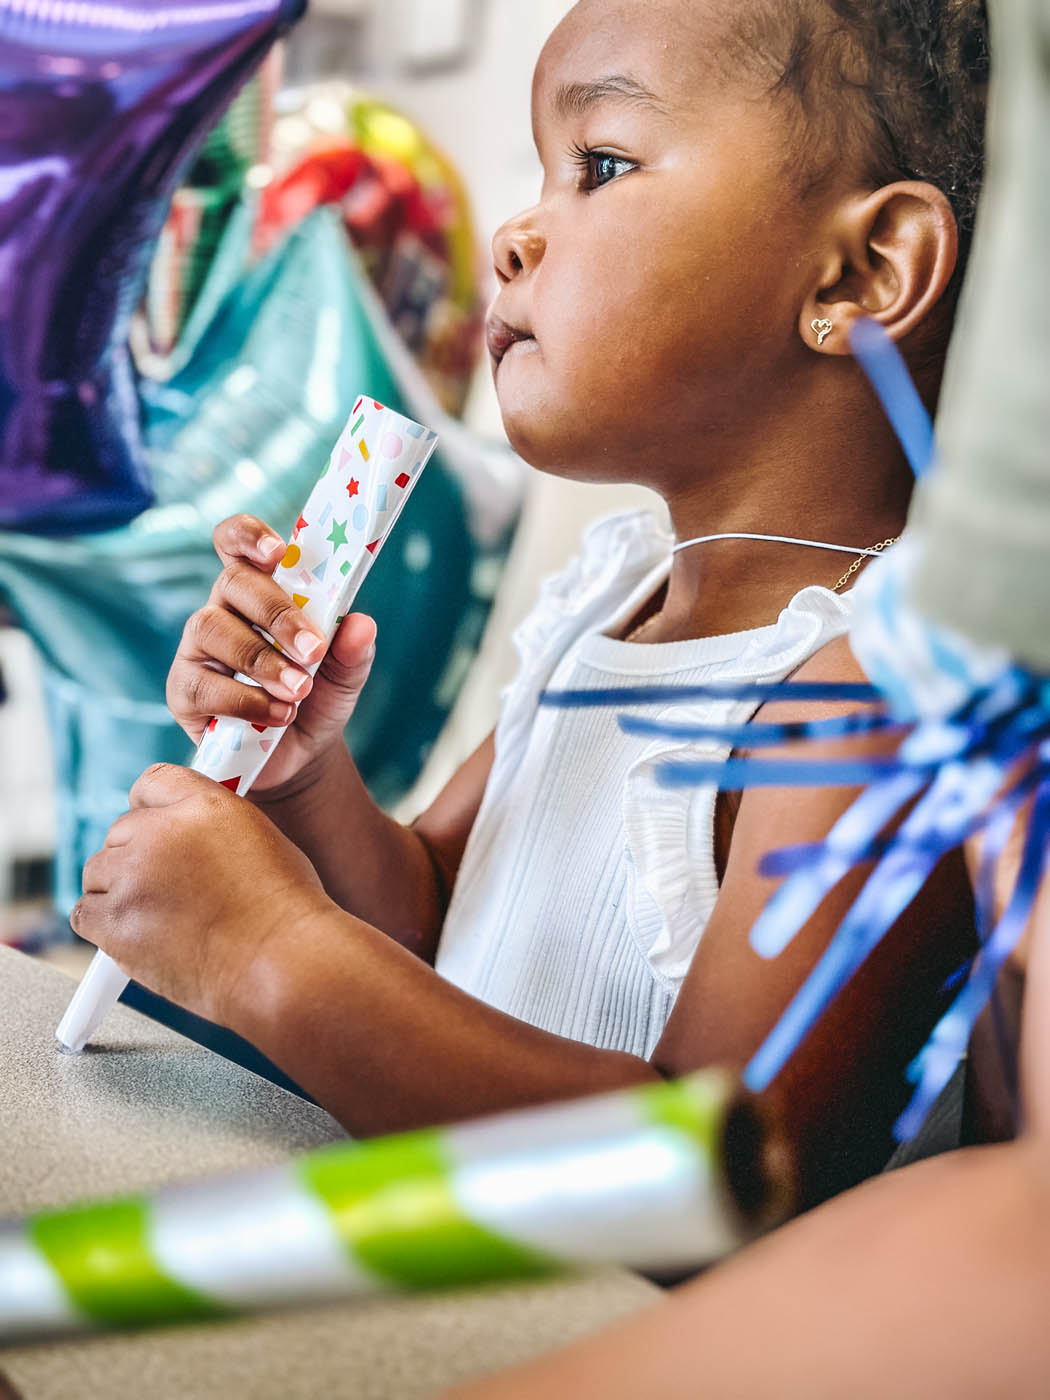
point(925, 1283)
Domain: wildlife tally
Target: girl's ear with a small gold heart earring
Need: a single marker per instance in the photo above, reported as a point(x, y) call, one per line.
point(891, 258)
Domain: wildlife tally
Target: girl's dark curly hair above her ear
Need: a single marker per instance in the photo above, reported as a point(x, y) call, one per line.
point(898, 85)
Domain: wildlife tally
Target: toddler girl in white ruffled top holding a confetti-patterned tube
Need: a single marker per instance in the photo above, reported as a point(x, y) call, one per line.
point(726, 191)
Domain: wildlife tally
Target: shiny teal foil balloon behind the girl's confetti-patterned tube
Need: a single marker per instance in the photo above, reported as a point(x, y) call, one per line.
point(246, 425)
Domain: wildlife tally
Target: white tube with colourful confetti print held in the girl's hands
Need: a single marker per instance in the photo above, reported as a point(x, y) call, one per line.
point(341, 530)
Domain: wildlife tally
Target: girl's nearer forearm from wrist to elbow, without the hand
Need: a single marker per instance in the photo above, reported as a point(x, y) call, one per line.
point(384, 1044)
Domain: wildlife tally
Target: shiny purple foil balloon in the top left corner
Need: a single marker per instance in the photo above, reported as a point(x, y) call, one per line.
point(101, 106)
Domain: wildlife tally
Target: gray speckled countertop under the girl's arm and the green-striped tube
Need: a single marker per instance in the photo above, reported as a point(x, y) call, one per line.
point(146, 1107)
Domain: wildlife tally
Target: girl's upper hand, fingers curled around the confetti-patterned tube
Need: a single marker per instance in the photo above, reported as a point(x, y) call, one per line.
point(220, 640)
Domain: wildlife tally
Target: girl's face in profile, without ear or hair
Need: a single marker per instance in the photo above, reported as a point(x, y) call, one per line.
point(650, 300)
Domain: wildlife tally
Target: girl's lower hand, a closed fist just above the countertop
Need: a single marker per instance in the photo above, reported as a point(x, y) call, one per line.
point(188, 888)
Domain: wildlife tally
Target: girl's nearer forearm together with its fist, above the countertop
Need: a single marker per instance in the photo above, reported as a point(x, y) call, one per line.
point(204, 901)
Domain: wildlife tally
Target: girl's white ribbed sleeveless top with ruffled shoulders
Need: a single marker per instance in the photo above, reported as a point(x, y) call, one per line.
point(586, 885)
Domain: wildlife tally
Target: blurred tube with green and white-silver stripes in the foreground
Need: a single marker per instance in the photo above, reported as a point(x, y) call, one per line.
point(659, 1178)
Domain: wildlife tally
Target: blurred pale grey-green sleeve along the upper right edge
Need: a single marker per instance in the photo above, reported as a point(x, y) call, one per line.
point(985, 517)
